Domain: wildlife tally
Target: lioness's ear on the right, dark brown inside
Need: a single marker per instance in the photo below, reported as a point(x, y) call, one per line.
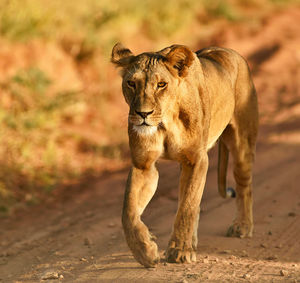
point(180, 58)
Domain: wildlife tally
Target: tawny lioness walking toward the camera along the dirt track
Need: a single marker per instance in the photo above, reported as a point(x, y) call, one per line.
point(181, 103)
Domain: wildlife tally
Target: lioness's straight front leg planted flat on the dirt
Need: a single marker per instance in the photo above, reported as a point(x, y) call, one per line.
point(182, 245)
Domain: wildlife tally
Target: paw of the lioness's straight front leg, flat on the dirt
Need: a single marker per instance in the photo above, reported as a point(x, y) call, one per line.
point(180, 255)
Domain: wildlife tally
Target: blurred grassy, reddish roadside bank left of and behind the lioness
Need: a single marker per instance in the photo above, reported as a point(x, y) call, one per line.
point(53, 135)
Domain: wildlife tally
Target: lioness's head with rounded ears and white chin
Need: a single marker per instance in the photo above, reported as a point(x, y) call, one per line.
point(149, 81)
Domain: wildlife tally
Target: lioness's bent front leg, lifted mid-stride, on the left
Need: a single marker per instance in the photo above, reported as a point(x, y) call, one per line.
point(141, 185)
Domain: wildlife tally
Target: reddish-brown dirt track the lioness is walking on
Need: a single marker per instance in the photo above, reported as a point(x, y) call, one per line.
point(80, 235)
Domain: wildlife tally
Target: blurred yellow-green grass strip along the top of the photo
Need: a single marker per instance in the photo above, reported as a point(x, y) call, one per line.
point(101, 23)
